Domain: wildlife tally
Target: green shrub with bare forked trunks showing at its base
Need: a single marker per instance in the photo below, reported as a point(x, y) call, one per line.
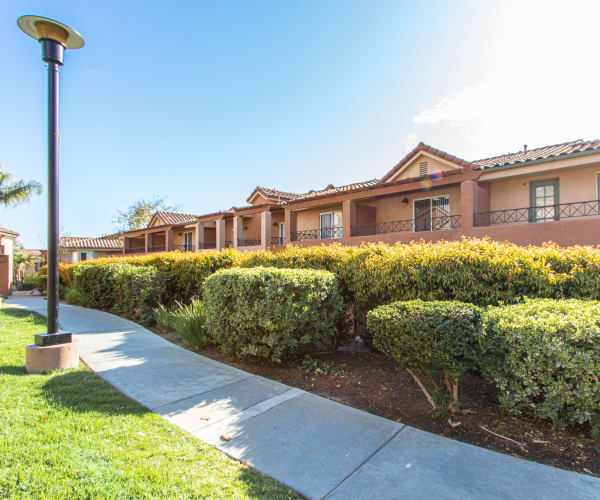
point(427, 338)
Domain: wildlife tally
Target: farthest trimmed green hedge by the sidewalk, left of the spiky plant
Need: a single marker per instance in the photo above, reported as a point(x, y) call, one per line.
point(128, 290)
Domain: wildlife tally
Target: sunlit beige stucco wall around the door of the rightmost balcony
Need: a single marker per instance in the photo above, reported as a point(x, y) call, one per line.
point(574, 185)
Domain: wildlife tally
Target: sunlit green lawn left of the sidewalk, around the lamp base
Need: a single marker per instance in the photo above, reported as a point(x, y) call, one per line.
point(71, 435)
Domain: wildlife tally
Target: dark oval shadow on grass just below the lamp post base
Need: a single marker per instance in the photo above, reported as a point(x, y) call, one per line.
point(83, 391)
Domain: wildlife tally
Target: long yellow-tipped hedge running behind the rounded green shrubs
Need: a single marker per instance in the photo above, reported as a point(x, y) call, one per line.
point(481, 272)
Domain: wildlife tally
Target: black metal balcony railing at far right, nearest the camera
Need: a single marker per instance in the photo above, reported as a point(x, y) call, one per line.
point(546, 213)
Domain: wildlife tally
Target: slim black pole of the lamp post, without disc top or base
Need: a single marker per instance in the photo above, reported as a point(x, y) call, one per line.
point(52, 53)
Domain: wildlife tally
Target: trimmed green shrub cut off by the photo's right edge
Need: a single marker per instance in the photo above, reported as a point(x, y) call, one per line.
point(544, 355)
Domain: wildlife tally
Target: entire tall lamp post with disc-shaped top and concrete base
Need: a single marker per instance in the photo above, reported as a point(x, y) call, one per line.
point(54, 38)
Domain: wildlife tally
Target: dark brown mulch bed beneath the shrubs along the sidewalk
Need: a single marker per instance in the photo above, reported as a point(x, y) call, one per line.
point(373, 383)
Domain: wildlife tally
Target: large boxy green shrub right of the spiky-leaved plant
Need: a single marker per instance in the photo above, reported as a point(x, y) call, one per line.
point(271, 313)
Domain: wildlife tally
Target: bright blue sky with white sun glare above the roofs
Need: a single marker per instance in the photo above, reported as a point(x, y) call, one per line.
point(199, 102)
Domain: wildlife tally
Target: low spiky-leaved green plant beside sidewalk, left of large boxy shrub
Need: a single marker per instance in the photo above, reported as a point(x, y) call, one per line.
point(188, 320)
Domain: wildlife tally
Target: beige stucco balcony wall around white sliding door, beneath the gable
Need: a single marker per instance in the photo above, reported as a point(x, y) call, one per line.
point(391, 208)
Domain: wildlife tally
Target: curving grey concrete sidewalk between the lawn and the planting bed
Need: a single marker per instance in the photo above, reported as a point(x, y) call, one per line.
point(316, 446)
